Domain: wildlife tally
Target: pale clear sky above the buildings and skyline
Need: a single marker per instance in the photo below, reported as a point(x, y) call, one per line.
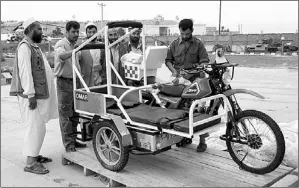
point(255, 16)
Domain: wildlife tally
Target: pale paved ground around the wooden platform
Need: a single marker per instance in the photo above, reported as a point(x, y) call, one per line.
point(279, 85)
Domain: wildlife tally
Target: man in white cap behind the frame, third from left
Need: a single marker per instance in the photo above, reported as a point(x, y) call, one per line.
point(91, 62)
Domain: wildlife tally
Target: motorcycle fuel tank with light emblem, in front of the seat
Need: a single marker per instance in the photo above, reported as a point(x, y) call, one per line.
point(199, 88)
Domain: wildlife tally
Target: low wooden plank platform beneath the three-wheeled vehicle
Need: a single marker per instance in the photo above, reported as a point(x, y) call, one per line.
point(178, 167)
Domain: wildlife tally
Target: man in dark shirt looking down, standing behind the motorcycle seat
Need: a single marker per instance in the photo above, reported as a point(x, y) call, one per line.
point(184, 52)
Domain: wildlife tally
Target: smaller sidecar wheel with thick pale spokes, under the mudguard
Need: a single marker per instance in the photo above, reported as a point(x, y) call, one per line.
point(119, 154)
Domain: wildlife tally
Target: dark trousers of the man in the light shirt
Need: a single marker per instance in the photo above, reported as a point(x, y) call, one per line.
point(67, 115)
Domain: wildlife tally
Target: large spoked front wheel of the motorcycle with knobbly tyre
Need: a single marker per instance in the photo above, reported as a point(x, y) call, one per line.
point(261, 164)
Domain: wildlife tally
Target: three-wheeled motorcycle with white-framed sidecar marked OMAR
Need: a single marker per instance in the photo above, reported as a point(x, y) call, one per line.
point(119, 120)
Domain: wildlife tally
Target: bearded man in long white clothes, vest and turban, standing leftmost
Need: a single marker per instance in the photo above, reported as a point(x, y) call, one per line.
point(33, 84)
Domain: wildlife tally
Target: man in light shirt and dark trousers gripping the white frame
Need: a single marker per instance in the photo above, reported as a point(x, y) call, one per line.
point(68, 118)
